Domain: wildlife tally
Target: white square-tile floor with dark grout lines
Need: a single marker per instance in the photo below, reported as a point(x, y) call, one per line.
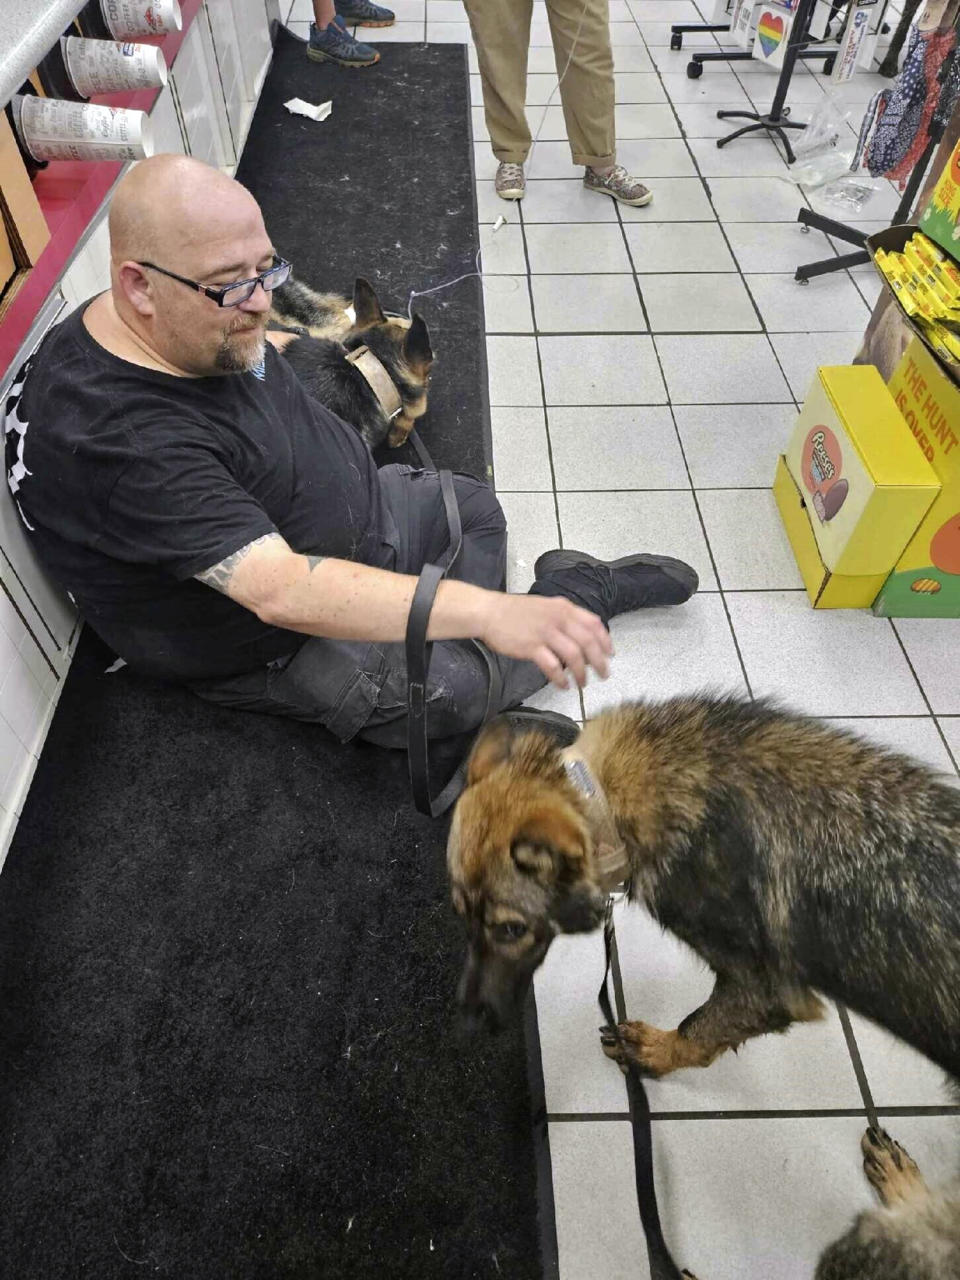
point(646, 371)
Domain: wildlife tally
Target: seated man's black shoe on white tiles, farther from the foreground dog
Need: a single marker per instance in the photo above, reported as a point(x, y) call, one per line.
point(609, 588)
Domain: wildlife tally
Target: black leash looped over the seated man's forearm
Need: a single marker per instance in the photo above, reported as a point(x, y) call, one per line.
point(419, 657)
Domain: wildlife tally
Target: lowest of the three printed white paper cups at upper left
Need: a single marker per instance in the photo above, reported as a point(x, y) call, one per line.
point(52, 130)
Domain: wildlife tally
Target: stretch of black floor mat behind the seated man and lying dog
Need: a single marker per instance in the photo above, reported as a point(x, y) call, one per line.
point(385, 189)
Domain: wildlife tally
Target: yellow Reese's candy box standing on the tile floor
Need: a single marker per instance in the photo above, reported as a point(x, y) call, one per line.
point(852, 488)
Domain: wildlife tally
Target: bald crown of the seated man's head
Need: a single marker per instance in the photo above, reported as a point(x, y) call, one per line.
point(168, 207)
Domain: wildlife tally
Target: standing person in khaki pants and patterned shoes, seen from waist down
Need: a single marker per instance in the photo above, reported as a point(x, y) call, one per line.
point(582, 44)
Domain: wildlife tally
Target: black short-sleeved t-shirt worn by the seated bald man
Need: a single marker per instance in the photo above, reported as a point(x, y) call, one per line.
point(131, 482)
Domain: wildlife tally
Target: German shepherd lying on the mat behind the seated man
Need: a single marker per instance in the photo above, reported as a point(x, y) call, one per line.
point(319, 356)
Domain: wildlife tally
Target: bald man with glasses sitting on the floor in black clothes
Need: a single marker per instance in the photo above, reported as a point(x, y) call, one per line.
point(221, 529)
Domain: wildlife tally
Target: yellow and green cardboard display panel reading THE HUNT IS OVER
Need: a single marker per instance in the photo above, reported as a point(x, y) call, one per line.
point(926, 580)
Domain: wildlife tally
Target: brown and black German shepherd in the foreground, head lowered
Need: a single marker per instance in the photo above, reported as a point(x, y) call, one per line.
point(790, 856)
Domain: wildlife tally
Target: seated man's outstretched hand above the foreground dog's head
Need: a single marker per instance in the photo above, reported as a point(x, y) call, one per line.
point(550, 632)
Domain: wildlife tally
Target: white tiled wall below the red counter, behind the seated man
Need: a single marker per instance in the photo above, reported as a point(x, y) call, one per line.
point(205, 111)
